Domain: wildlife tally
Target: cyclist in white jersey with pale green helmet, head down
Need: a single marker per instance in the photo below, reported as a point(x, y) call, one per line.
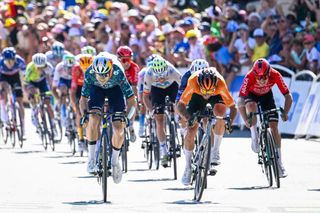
point(161, 79)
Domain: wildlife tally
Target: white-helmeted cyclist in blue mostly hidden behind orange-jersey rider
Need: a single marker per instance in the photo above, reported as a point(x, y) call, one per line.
point(195, 66)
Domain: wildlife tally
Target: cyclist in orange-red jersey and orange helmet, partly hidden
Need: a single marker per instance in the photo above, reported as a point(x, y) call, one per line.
point(78, 70)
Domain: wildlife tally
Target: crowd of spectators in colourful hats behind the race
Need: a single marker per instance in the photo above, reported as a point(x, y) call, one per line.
point(229, 35)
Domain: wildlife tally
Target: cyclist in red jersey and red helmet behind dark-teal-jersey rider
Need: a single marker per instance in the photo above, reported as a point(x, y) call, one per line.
point(131, 69)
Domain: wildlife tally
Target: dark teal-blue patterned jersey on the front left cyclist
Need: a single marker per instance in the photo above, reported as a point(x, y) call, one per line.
point(118, 78)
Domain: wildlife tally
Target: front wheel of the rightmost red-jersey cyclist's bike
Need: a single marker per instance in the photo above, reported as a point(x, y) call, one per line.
point(265, 157)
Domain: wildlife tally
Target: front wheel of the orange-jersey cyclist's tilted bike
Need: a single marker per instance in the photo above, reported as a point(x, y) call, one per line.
point(202, 168)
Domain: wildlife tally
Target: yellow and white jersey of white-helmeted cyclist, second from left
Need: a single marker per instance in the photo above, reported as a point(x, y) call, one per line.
point(33, 74)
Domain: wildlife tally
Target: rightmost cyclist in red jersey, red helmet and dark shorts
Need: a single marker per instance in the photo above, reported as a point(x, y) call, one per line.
point(256, 87)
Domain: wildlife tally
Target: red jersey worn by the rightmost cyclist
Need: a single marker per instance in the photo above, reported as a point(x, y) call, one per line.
point(250, 84)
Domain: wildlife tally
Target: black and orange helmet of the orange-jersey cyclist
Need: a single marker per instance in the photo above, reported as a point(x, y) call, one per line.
point(207, 80)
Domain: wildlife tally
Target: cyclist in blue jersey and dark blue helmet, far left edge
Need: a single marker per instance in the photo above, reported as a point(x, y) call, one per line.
point(11, 65)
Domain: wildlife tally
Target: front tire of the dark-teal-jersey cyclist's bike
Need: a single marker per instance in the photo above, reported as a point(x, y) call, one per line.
point(105, 168)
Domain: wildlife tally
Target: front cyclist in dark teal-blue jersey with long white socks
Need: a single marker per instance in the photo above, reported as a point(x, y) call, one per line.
point(105, 79)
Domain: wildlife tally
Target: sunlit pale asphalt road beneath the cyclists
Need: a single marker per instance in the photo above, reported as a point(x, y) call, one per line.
point(34, 180)
